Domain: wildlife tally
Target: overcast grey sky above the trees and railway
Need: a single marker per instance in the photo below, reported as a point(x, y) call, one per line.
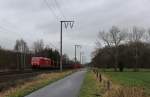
point(33, 20)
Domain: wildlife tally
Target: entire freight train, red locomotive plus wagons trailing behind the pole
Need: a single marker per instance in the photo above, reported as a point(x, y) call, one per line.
point(42, 62)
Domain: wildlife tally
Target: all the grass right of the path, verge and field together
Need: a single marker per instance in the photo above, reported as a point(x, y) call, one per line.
point(122, 84)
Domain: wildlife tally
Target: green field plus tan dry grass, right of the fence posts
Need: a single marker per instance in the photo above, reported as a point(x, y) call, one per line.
point(129, 84)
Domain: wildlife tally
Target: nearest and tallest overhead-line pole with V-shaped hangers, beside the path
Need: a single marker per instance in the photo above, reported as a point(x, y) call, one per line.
point(67, 23)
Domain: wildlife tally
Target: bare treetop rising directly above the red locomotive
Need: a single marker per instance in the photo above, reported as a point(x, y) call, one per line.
point(38, 46)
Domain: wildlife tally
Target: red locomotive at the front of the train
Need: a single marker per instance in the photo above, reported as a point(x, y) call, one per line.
point(42, 62)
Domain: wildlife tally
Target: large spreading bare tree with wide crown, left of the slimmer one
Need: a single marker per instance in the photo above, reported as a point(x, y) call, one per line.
point(113, 37)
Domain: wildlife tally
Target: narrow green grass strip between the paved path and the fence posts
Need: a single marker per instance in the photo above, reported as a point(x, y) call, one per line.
point(90, 87)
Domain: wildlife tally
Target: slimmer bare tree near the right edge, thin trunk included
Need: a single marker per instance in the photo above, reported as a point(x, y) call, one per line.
point(135, 36)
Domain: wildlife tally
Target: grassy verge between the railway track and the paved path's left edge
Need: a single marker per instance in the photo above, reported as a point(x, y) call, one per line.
point(34, 84)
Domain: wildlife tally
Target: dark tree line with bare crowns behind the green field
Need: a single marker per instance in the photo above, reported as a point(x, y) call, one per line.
point(122, 48)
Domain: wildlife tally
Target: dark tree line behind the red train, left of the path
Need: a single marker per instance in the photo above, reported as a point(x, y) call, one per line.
point(20, 57)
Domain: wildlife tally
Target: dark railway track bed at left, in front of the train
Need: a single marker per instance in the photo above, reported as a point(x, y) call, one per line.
point(9, 79)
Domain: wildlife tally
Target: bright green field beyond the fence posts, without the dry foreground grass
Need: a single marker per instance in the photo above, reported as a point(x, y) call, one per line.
point(131, 79)
